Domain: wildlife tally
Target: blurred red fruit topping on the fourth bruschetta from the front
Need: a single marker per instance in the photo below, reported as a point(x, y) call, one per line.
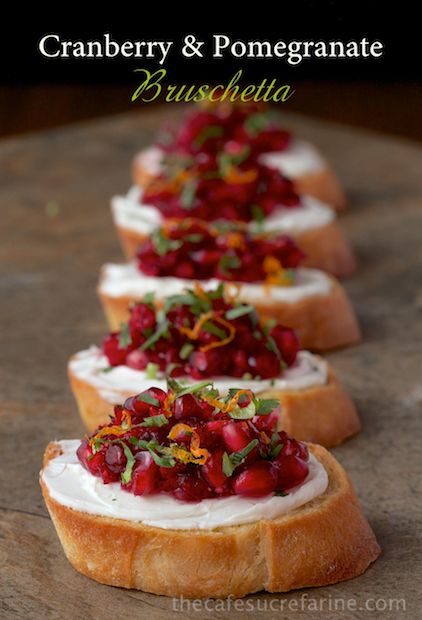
point(230, 186)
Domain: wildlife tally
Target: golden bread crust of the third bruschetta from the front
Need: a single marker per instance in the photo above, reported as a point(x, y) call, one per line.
point(323, 322)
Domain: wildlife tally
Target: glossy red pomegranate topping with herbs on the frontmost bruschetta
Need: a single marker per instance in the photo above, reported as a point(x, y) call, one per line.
point(192, 443)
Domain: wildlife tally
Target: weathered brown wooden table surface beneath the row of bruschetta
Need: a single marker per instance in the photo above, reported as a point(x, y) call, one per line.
point(57, 231)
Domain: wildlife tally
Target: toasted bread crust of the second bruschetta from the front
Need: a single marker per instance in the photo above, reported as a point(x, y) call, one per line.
point(323, 414)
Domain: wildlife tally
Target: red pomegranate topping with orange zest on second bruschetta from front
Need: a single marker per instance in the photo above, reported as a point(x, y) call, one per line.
point(201, 334)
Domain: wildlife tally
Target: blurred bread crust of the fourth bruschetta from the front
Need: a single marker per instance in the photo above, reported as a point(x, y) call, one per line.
point(326, 248)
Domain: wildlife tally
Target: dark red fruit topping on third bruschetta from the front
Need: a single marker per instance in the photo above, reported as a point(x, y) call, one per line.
point(194, 250)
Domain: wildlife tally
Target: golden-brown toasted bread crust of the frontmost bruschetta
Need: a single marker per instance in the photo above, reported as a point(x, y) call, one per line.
point(325, 541)
